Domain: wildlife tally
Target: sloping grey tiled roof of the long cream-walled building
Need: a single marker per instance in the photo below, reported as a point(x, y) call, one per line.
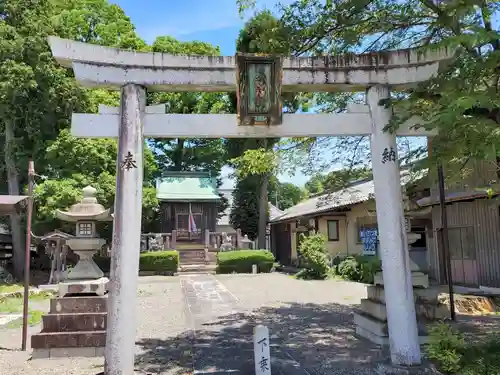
point(355, 193)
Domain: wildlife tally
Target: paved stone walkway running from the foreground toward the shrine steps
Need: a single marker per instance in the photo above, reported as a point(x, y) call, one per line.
point(216, 349)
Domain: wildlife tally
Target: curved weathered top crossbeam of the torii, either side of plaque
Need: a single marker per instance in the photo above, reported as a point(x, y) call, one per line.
point(111, 68)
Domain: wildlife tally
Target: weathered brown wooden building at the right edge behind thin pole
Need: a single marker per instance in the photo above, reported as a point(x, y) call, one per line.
point(473, 217)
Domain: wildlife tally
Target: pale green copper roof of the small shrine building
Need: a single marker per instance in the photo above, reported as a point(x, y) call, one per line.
point(186, 186)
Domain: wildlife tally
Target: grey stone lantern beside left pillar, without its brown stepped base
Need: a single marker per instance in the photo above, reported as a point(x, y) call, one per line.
point(86, 243)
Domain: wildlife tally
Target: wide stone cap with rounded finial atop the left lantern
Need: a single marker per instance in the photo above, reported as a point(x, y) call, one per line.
point(87, 209)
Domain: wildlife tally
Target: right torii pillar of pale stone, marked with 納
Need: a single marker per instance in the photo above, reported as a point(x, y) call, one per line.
point(401, 317)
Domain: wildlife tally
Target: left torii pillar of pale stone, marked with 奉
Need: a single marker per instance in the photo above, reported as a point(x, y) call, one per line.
point(121, 323)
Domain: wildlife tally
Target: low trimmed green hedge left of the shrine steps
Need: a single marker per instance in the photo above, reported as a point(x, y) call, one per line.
point(160, 261)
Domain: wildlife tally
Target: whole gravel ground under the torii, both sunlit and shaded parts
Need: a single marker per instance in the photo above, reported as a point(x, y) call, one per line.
point(204, 323)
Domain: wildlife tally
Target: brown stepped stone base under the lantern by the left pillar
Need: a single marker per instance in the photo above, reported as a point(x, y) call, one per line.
point(76, 323)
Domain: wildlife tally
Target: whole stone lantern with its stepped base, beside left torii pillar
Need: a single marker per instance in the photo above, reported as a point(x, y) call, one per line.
point(77, 321)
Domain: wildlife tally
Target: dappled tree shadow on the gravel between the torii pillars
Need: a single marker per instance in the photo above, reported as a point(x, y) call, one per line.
point(319, 337)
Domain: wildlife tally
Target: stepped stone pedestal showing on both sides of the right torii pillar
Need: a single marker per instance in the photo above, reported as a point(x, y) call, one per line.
point(371, 322)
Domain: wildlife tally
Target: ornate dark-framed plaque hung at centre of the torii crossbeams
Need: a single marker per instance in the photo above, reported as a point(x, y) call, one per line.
point(258, 89)
